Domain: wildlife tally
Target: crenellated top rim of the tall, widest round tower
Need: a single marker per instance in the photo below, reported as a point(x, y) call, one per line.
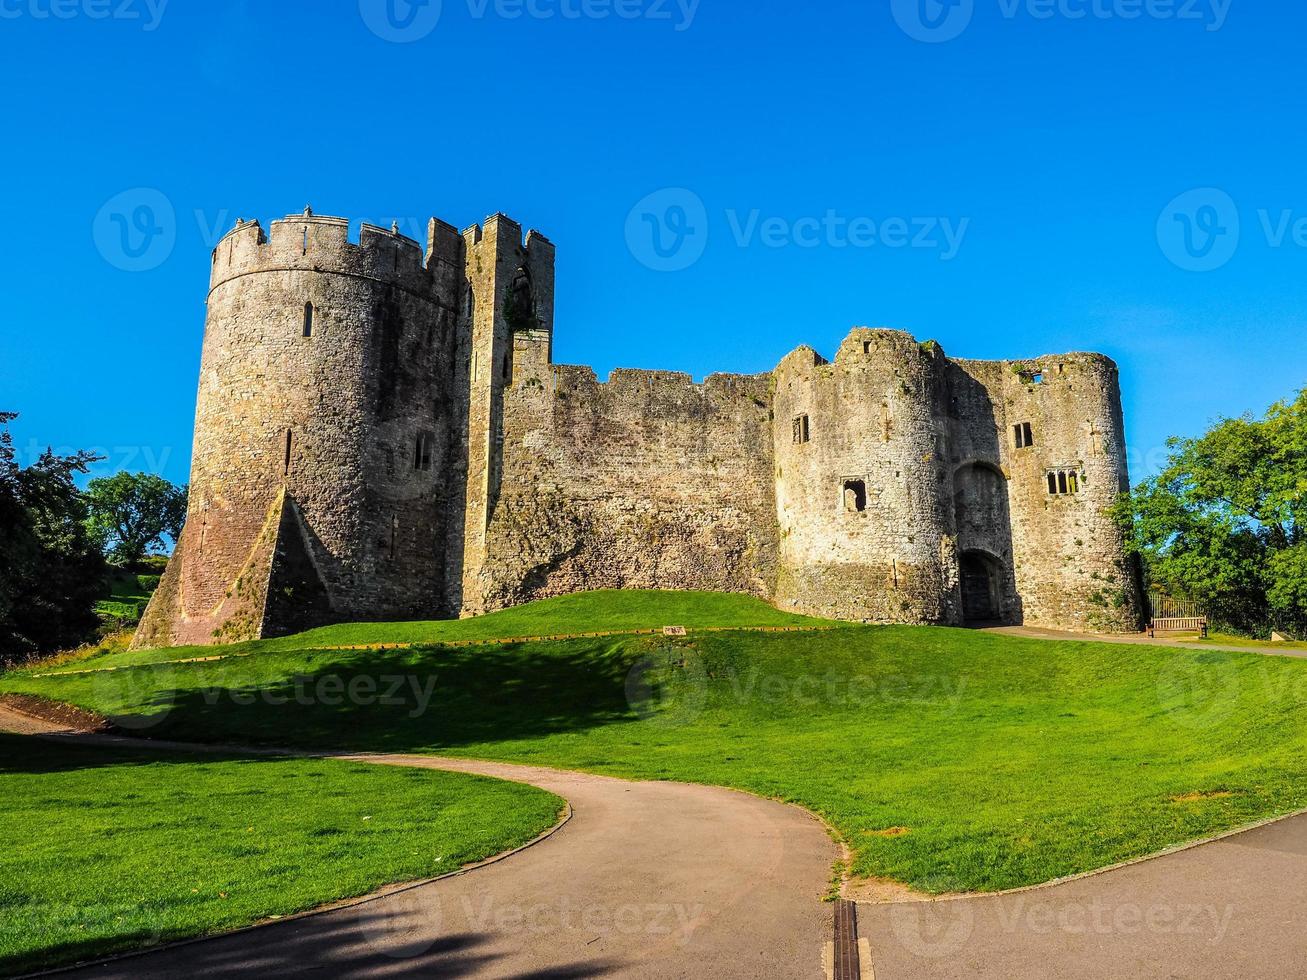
point(320, 244)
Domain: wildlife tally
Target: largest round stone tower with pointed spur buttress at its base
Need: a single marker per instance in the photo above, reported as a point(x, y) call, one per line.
point(322, 434)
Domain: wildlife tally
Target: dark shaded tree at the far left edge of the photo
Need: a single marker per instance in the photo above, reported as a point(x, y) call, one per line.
point(52, 572)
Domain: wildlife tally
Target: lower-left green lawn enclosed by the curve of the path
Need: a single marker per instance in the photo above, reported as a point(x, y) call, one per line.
point(109, 850)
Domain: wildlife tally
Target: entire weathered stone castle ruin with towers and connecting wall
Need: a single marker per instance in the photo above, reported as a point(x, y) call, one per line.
point(384, 434)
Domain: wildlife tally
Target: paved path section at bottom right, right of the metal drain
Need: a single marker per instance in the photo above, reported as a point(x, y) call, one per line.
point(1232, 910)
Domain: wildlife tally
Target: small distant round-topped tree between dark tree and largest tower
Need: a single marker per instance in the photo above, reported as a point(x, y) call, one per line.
point(131, 513)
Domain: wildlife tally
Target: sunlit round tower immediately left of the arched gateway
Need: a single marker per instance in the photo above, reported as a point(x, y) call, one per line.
point(862, 482)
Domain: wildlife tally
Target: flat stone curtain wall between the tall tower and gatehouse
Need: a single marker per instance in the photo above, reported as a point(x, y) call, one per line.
point(646, 482)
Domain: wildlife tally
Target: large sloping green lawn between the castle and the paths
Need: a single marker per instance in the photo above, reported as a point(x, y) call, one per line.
point(950, 760)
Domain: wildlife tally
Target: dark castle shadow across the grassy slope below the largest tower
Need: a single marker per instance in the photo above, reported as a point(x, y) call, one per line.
point(429, 698)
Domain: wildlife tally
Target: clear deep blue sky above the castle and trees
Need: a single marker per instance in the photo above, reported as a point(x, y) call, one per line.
point(1055, 143)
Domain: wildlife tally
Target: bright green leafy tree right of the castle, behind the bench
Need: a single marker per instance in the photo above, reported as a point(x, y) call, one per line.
point(1223, 523)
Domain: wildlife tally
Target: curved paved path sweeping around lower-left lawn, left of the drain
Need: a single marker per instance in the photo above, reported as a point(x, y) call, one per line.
point(646, 880)
